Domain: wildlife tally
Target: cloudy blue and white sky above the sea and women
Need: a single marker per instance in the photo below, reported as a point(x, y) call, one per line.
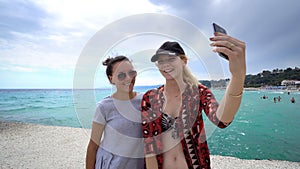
point(61, 43)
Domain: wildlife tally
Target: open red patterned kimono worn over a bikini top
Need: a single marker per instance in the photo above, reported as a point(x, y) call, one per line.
point(191, 126)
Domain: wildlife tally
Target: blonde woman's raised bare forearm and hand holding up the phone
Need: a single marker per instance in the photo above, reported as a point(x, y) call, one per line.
point(235, 50)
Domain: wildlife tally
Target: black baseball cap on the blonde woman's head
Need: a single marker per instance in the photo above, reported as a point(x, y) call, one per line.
point(168, 48)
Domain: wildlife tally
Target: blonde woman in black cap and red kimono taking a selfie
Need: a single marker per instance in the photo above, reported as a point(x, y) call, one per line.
point(172, 122)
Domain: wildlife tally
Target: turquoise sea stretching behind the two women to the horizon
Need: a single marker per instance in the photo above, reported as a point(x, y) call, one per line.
point(262, 129)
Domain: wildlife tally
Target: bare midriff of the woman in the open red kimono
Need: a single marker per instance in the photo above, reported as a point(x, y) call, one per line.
point(173, 155)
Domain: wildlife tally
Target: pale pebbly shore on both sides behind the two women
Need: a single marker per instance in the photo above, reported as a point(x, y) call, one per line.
point(38, 146)
